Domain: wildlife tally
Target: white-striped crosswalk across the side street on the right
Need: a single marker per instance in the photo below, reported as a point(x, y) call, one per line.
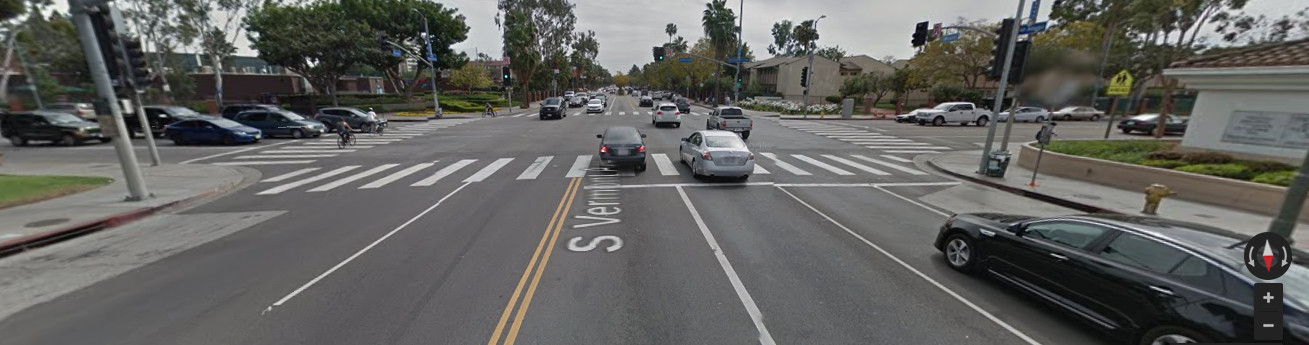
point(863, 138)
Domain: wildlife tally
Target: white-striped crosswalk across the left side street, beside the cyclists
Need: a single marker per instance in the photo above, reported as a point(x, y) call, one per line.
point(310, 151)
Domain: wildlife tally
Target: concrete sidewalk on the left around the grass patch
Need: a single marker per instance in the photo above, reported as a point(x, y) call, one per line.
point(173, 188)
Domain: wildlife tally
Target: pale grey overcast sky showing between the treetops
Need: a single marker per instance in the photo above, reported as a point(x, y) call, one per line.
point(628, 29)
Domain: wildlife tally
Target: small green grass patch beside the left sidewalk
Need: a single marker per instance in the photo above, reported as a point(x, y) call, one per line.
point(20, 190)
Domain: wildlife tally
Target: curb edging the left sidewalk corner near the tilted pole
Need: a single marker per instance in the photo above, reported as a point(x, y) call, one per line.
point(37, 241)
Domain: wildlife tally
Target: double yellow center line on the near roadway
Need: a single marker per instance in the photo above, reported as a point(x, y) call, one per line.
point(547, 246)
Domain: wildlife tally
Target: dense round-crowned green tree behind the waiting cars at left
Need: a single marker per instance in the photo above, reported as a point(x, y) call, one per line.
point(319, 41)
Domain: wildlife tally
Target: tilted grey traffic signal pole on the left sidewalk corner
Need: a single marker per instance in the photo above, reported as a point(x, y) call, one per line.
point(105, 90)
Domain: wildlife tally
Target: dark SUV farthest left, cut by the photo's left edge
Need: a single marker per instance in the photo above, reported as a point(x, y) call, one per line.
point(49, 126)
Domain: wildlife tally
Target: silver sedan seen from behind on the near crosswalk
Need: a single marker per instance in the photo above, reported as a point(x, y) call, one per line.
point(717, 154)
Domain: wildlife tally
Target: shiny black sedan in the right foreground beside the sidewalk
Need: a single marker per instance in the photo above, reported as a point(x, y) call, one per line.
point(1142, 280)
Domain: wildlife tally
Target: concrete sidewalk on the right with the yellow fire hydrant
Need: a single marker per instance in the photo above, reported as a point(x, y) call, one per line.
point(1099, 199)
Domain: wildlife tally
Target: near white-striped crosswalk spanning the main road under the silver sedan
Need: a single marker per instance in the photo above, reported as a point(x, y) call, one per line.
point(518, 169)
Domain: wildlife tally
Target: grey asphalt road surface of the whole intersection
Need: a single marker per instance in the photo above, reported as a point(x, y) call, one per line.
point(506, 231)
